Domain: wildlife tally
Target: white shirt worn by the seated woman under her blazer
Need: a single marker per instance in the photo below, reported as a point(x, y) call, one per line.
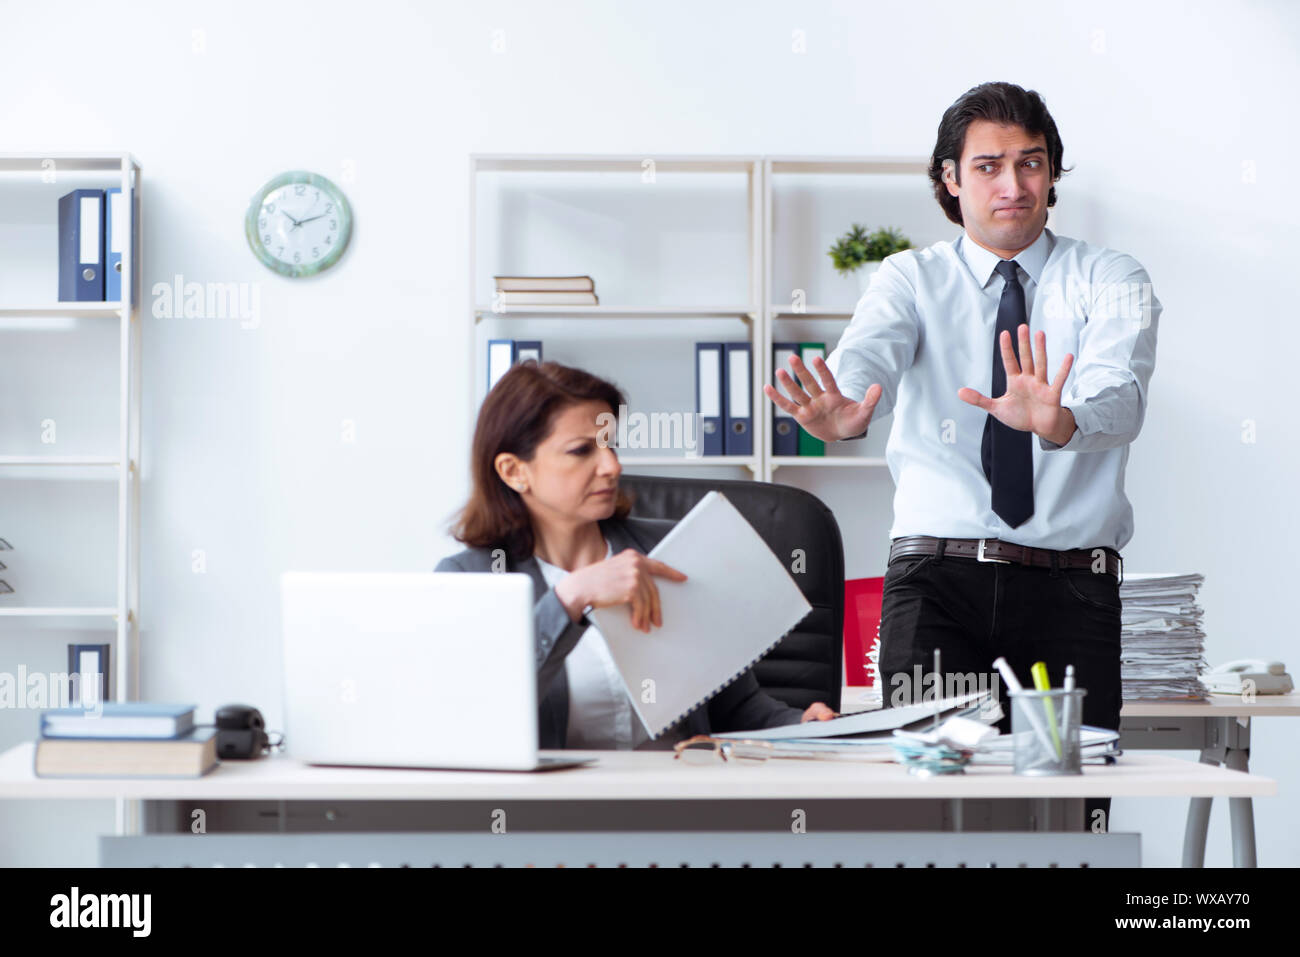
point(601, 716)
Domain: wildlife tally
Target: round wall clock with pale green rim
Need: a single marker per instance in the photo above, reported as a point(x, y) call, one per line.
point(298, 224)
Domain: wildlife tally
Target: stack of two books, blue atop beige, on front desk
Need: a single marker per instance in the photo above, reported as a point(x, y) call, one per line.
point(125, 741)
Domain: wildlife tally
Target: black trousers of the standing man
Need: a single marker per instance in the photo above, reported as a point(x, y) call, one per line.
point(976, 612)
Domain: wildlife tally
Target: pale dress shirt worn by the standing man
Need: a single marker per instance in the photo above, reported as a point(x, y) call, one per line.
point(926, 327)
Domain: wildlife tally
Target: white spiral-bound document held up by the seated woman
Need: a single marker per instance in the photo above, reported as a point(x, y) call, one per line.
point(738, 603)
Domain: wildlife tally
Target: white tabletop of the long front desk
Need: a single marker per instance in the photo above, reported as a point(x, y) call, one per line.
point(640, 776)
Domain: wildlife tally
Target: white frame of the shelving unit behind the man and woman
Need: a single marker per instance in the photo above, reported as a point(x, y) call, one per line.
point(759, 321)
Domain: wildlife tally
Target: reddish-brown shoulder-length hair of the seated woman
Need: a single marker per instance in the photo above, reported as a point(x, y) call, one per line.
point(517, 417)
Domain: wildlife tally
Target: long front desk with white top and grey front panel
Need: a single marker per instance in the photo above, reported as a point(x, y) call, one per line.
point(1051, 817)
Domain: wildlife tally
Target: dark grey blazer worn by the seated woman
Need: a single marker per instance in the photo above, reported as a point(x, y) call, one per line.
point(739, 707)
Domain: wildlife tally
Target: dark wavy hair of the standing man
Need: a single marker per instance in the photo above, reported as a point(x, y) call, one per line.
point(999, 103)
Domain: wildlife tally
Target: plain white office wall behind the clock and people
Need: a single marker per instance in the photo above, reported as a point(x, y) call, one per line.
point(1159, 106)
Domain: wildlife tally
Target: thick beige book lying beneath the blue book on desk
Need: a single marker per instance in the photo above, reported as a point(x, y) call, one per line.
point(189, 756)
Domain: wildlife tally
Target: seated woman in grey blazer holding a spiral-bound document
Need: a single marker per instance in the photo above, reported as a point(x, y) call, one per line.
point(547, 503)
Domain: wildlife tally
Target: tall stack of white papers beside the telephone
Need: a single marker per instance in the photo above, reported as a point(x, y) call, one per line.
point(1163, 647)
